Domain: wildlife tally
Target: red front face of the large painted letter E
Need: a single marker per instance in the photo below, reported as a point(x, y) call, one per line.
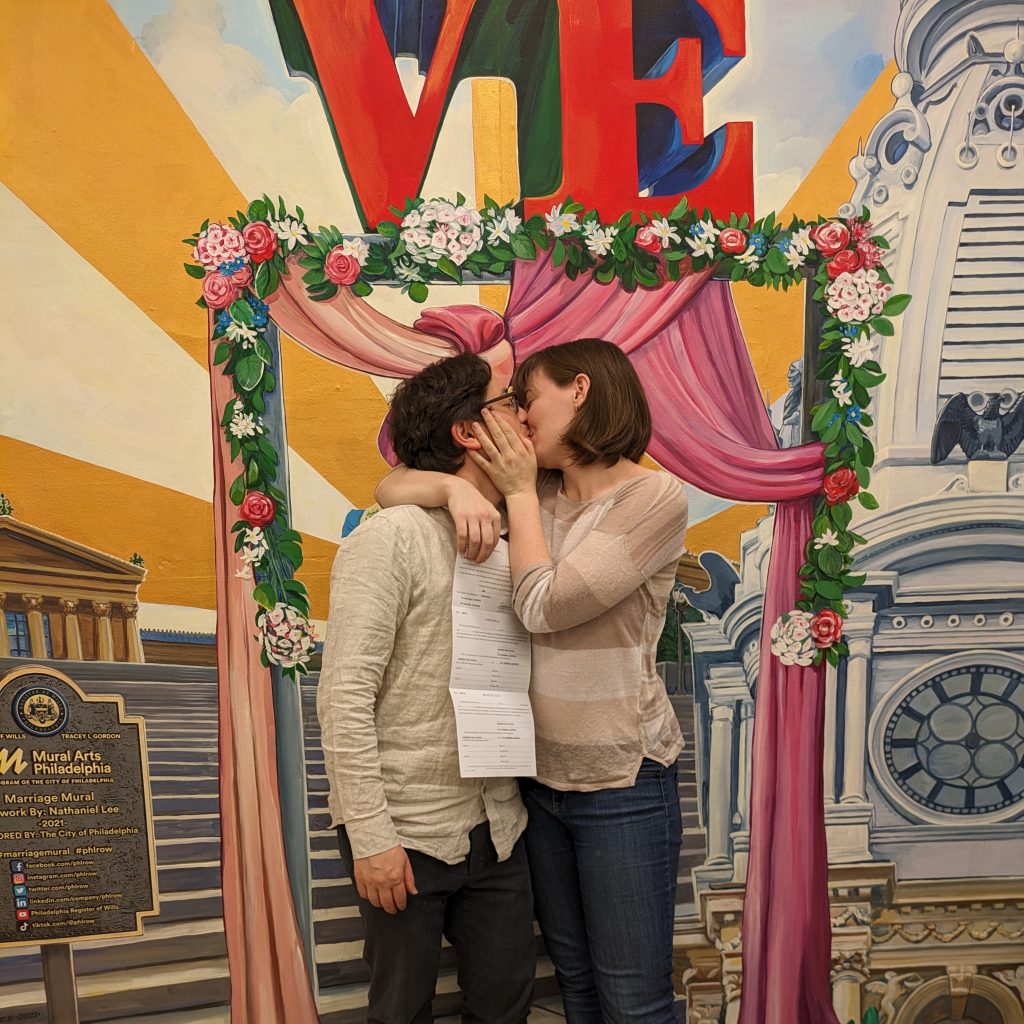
point(600, 102)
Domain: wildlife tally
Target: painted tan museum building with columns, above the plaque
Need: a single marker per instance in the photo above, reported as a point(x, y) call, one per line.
point(65, 602)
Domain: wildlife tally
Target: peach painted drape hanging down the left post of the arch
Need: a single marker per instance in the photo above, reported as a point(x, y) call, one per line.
point(269, 978)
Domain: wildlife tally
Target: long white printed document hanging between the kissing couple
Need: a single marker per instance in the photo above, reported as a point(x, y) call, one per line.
point(490, 672)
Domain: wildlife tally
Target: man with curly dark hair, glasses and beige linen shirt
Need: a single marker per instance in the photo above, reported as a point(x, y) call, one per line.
point(432, 854)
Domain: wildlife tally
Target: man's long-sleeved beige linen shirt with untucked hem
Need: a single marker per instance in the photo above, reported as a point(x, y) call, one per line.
point(387, 717)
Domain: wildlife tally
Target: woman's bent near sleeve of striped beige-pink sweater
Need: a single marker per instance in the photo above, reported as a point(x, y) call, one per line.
point(642, 532)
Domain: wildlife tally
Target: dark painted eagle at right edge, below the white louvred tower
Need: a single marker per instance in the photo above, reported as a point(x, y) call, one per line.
point(986, 426)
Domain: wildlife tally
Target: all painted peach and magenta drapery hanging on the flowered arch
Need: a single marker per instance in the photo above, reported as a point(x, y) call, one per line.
point(711, 430)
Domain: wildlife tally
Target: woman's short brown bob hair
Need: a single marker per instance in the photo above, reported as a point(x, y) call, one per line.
point(614, 422)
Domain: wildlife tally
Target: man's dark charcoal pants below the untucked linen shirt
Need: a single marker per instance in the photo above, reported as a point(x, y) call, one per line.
point(484, 908)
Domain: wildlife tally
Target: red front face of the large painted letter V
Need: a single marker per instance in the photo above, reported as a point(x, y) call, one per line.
point(386, 148)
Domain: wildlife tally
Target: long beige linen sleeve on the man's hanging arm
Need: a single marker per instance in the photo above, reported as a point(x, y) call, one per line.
point(370, 592)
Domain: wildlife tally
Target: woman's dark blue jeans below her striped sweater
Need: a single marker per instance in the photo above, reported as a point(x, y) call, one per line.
point(605, 868)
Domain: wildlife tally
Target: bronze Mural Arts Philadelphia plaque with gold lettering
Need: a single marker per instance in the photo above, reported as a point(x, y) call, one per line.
point(77, 856)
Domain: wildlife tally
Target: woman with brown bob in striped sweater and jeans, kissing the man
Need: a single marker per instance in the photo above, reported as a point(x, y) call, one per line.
point(595, 540)
